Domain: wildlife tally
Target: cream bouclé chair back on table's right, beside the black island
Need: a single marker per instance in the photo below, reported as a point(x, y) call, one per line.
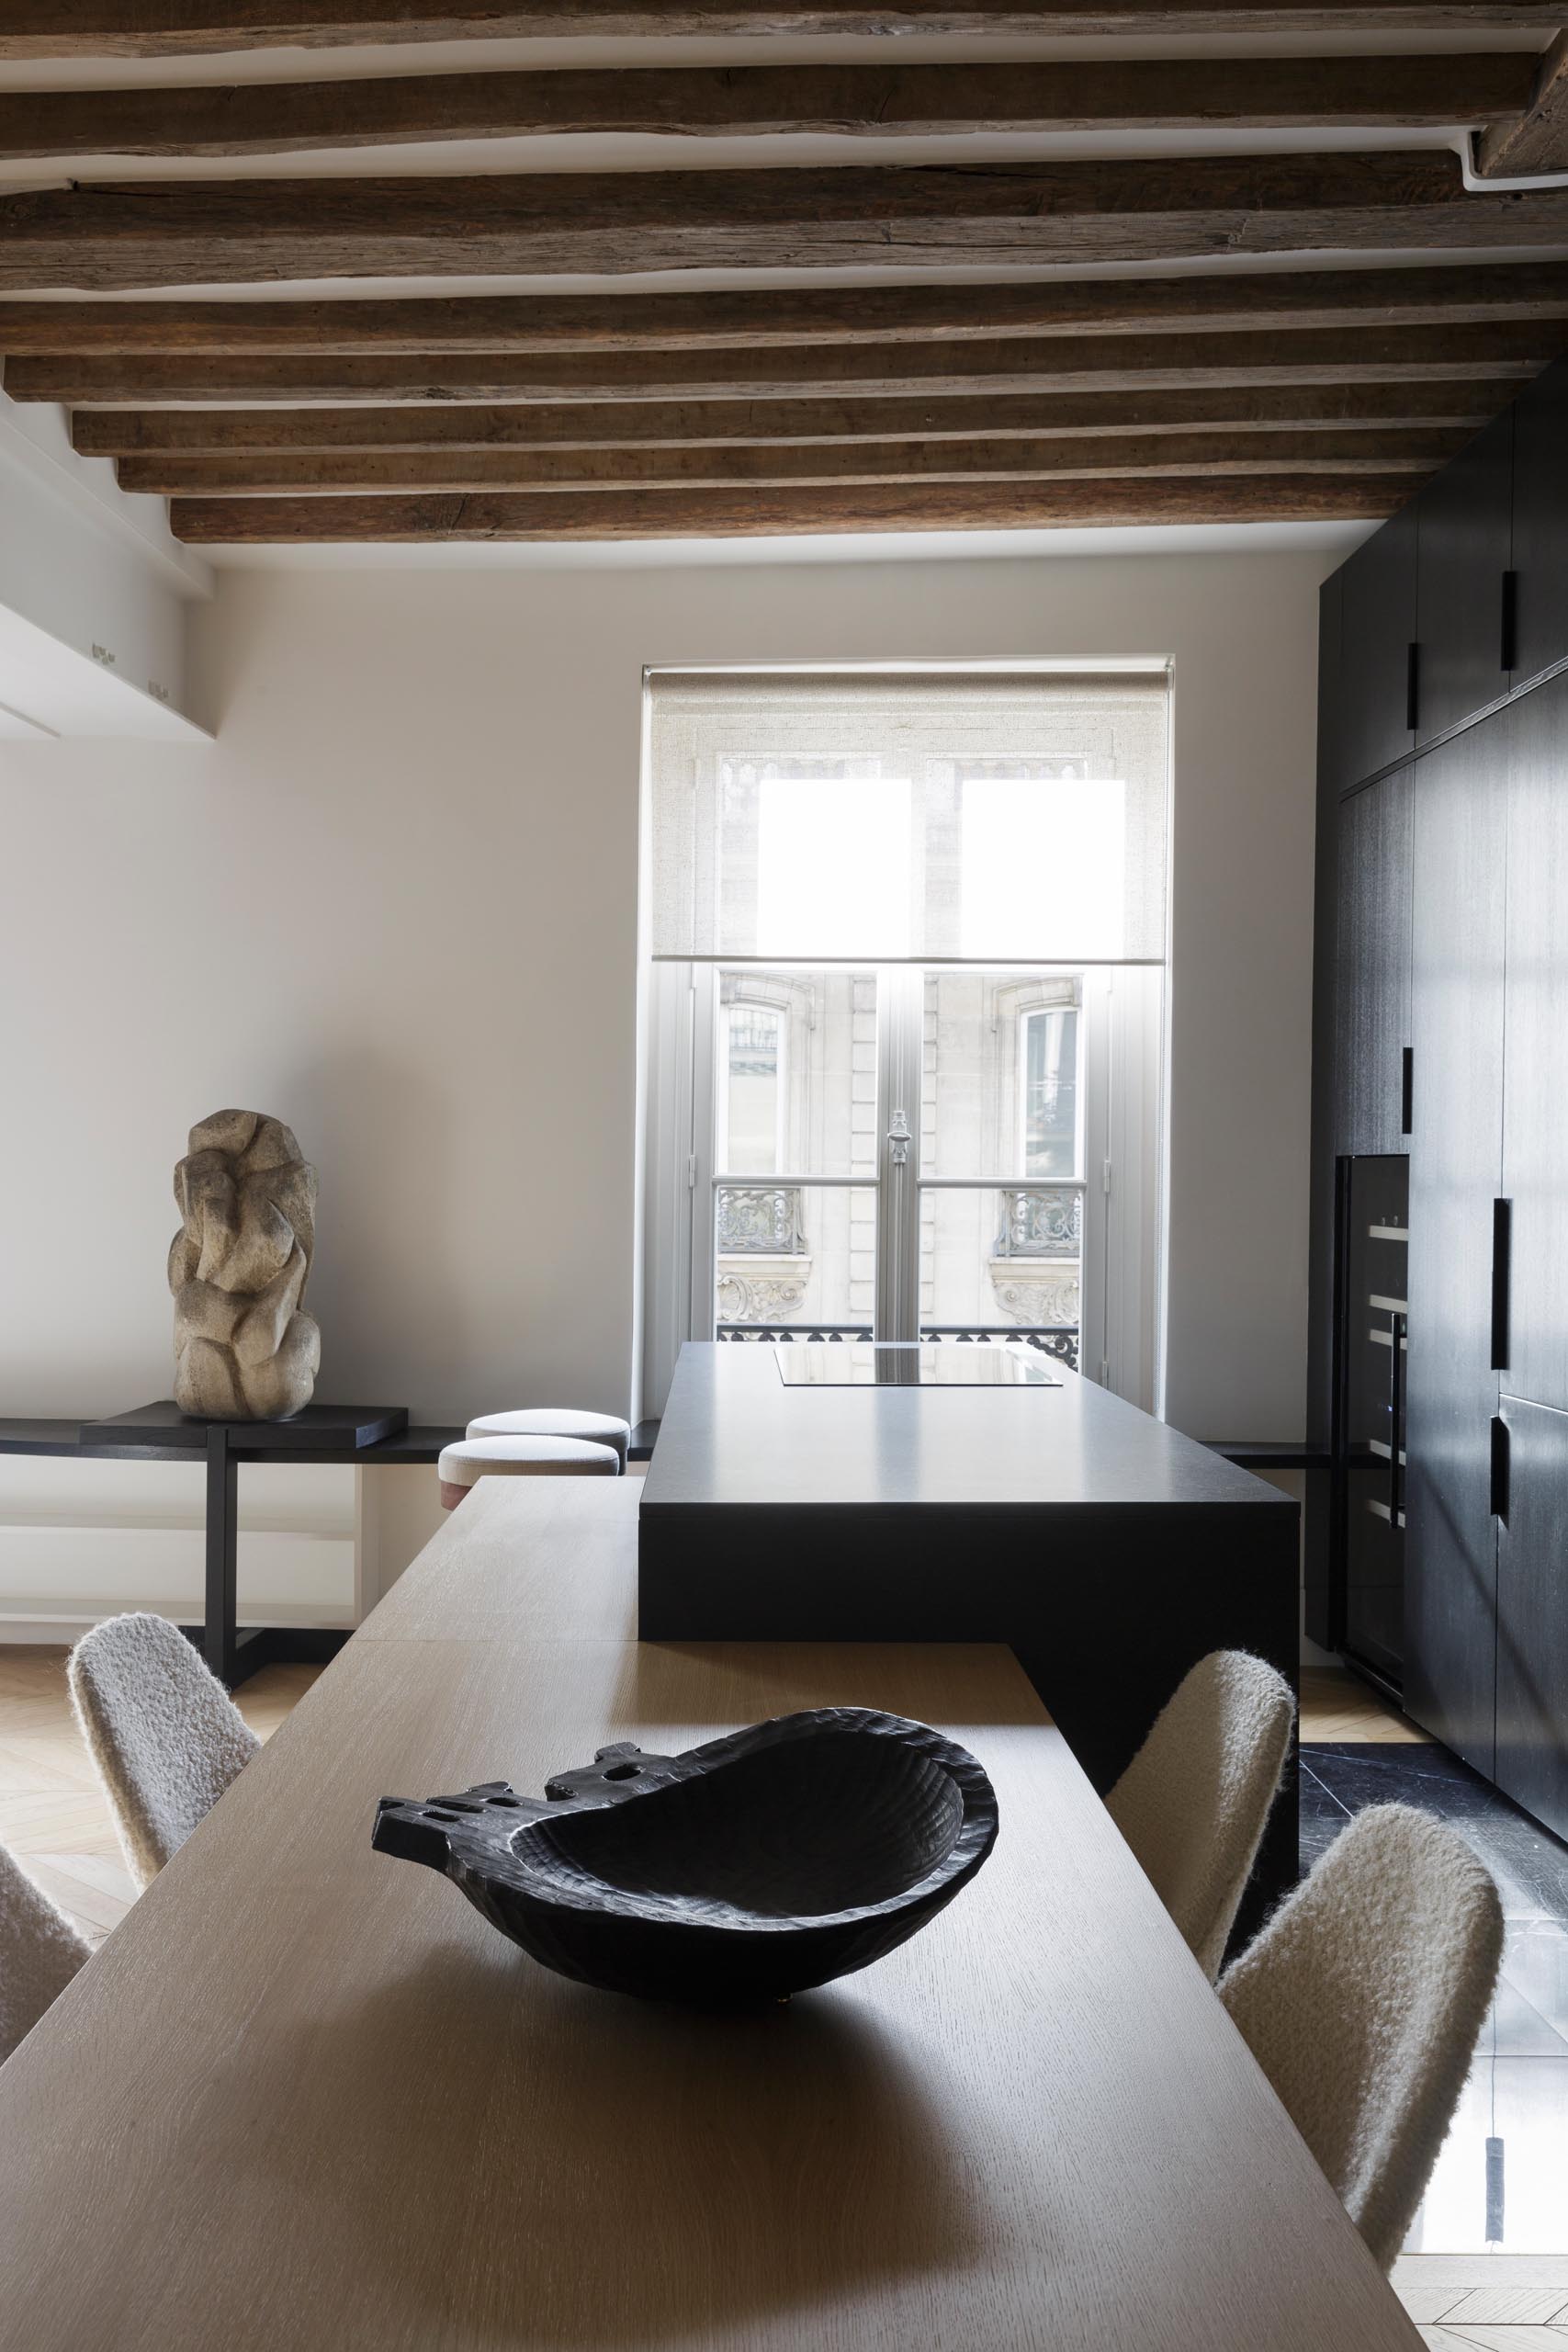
point(1195, 1800)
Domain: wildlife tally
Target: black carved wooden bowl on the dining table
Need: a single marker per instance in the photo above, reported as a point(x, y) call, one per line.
point(742, 1871)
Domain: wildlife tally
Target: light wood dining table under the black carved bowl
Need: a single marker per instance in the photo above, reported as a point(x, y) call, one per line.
point(309, 2102)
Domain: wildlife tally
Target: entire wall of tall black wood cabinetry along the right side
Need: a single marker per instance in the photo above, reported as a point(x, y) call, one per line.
point(1442, 928)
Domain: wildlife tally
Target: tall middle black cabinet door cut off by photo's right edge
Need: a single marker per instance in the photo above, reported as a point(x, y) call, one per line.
point(1536, 1053)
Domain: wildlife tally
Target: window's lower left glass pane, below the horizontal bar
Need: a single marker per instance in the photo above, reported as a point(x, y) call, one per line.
point(796, 1257)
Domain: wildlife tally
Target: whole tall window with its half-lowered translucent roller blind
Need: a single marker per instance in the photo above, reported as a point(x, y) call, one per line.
point(909, 942)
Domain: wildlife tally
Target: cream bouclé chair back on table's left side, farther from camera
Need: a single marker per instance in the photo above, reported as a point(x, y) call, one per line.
point(163, 1732)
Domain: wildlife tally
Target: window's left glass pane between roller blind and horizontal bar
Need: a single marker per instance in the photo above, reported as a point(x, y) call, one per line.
point(796, 1071)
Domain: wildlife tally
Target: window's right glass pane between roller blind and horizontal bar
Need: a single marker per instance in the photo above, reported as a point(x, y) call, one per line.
point(1000, 1076)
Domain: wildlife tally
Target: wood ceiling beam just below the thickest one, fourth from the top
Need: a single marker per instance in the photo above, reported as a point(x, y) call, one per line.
point(789, 316)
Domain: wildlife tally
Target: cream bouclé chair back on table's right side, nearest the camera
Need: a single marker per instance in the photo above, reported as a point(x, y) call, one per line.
point(1362, 2003)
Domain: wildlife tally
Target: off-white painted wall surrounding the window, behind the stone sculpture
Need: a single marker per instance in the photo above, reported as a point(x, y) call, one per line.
point(396, 904)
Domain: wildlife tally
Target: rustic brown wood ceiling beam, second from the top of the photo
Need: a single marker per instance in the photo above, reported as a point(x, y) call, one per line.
point(281, 119)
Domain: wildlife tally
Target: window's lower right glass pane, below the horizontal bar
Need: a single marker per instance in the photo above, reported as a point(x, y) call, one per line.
point(1003, 1262)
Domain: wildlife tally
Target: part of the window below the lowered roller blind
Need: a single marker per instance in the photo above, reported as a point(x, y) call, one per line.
point(897, 1154)
